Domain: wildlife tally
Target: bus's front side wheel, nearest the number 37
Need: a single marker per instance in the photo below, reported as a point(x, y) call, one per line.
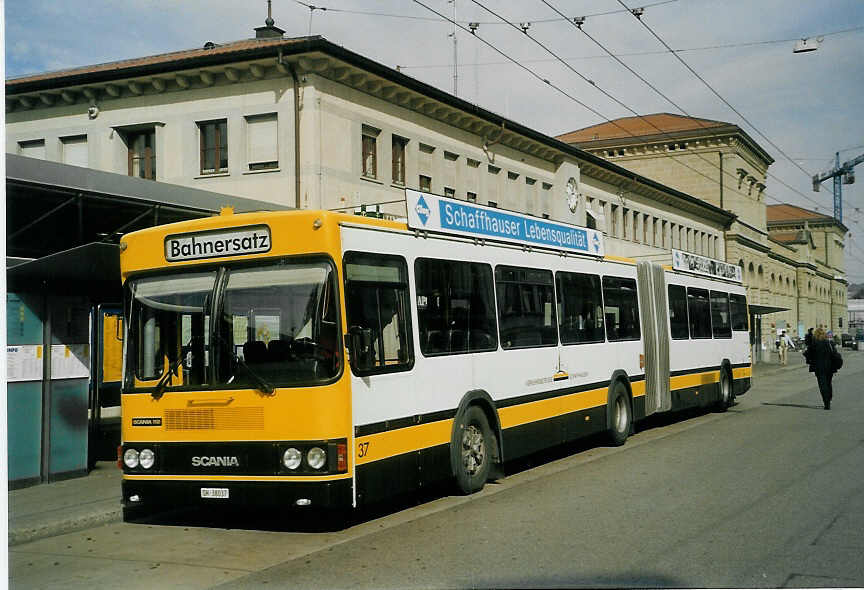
point(471, 451)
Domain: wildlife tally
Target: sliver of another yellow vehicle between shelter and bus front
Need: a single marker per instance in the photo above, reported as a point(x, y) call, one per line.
point(104, 403)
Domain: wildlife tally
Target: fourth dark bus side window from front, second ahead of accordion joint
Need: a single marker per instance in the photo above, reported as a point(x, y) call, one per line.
point(580, 308)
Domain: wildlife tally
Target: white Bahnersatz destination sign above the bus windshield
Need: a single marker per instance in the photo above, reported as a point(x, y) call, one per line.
point(254, 239)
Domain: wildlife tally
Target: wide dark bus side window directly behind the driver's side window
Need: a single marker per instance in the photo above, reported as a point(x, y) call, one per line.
point(455, 307)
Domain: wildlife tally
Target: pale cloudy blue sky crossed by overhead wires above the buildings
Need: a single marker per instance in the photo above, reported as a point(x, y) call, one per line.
point(738, 64)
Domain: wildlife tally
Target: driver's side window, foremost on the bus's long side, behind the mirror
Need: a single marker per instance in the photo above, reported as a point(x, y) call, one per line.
point(376, 301)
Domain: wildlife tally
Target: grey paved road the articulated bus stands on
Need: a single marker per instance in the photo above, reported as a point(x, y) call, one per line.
point(767, 495)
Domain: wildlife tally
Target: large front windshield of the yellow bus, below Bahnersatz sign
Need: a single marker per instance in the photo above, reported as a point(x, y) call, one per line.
point(277, 326)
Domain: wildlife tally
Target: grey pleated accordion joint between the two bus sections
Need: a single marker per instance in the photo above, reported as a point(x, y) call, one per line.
point(651, 283)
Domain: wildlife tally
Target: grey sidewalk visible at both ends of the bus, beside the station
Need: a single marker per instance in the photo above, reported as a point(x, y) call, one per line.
point(52, 509)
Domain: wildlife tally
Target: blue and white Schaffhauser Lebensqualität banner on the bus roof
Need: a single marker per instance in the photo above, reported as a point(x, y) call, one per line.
point(442, 214)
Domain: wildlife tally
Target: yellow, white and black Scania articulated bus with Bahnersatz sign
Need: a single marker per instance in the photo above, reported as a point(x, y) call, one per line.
point(313, 358)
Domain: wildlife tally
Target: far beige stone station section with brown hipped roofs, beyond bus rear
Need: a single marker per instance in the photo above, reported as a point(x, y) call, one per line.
point(719, 163)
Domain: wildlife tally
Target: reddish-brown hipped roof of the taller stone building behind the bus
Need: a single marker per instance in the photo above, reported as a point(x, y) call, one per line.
point(639, 127)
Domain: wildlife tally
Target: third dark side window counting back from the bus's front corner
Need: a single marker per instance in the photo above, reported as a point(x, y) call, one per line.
point(526, 307)
